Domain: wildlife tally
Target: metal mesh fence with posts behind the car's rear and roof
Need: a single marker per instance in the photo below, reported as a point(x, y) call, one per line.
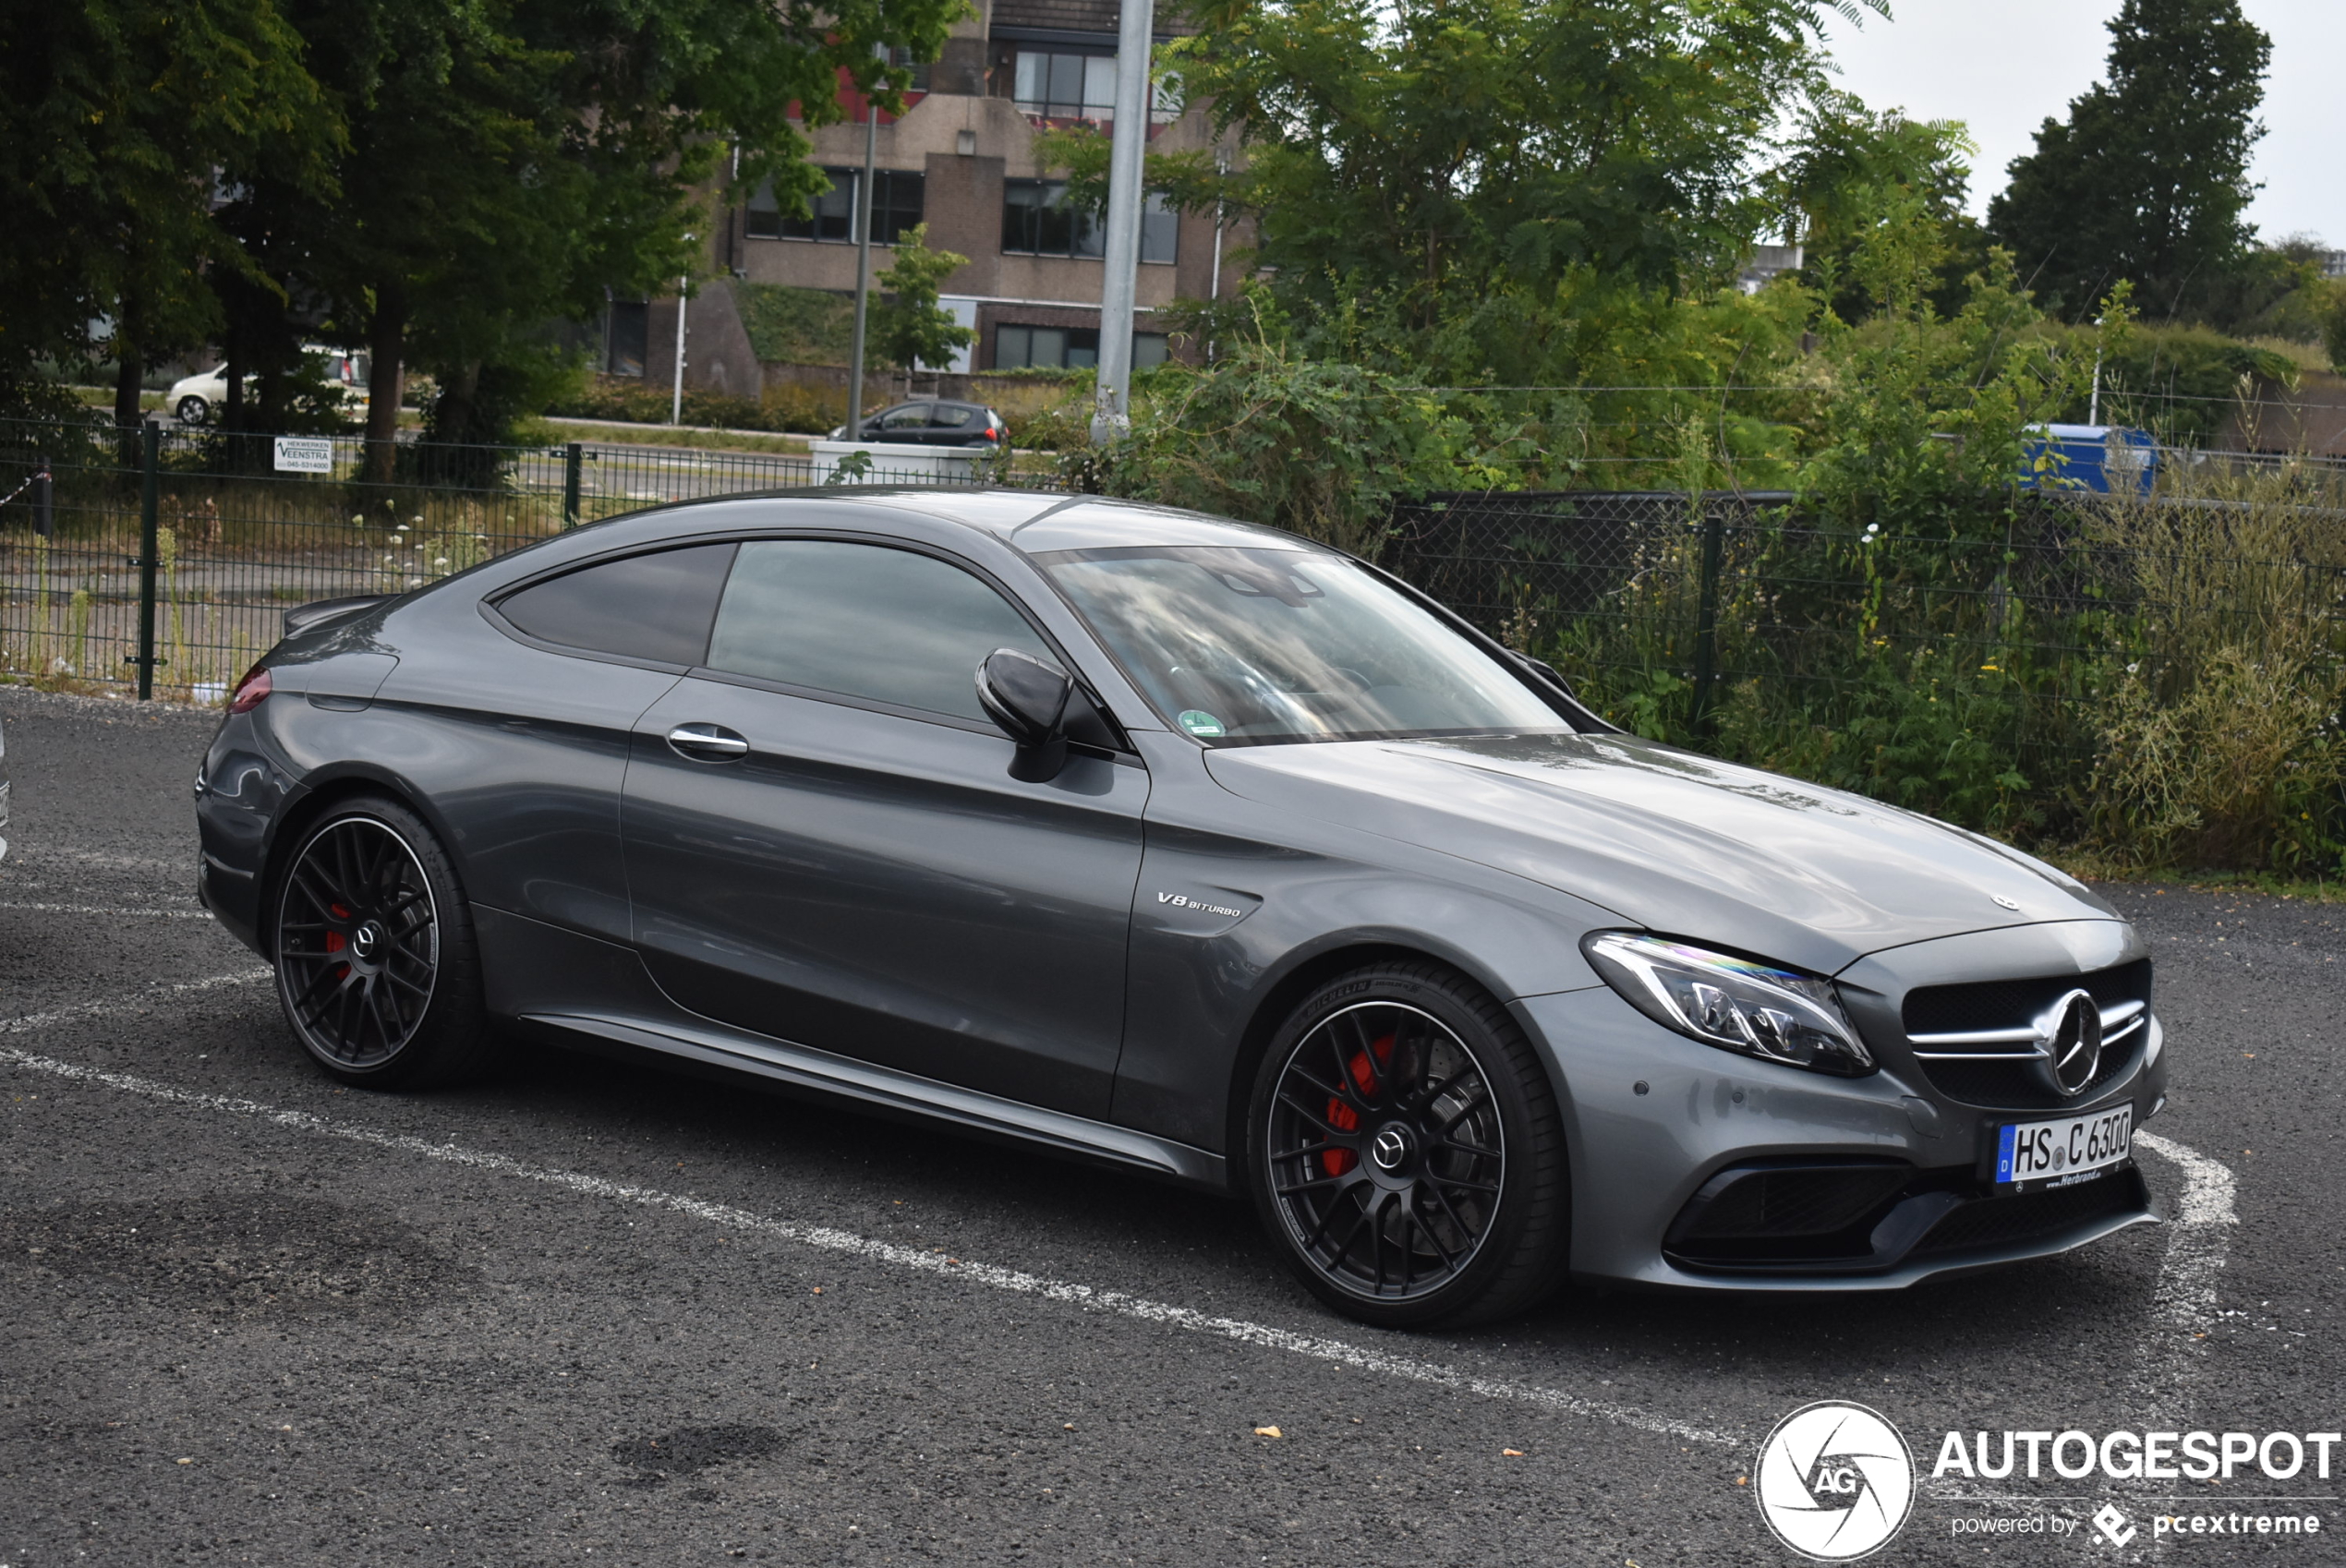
point(163, 559)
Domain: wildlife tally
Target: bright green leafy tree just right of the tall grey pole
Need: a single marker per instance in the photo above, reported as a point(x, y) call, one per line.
point(1463, 184)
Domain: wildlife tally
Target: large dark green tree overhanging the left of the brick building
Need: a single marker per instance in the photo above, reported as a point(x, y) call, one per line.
point(513, 163)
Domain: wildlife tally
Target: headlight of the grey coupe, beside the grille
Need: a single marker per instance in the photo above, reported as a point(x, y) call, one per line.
point(1735, 1004)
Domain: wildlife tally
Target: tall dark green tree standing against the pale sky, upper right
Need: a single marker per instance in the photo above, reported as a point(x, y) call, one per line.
point(2148, 177)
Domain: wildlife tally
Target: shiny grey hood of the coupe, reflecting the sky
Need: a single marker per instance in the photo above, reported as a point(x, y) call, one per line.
point(1672, 843)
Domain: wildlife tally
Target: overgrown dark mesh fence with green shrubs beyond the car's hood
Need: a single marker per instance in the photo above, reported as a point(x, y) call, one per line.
point(1955, 674)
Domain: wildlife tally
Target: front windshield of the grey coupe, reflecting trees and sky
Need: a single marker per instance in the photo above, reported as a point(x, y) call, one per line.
point(1287, 646)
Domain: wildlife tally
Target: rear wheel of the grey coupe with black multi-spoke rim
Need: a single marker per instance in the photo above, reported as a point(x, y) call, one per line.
point(379, 972)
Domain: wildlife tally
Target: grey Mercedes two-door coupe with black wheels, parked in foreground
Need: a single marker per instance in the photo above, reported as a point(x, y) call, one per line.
point(1188, 847)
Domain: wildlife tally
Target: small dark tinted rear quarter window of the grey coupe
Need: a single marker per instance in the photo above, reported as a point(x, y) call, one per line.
point(644, 606)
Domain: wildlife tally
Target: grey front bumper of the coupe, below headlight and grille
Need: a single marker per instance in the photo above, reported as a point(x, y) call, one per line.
point(1653, 1117)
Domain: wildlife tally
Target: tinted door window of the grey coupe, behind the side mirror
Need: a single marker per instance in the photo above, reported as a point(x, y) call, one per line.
point(865, 620)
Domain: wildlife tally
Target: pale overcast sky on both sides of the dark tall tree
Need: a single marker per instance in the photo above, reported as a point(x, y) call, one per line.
point(2005, 64)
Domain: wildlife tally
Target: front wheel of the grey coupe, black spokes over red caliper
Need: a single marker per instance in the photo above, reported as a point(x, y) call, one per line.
point(1406, 1152)
